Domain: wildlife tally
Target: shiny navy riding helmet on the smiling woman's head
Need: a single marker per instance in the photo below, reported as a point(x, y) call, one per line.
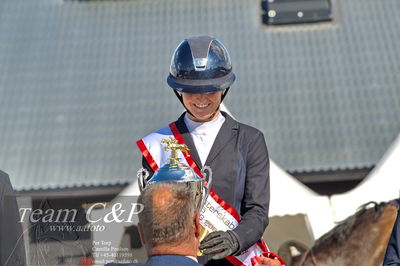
point(200, 65)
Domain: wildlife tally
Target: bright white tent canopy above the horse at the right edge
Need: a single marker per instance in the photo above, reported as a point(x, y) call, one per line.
point(381, 184)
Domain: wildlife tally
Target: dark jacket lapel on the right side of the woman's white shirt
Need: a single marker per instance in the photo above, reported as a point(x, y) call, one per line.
point(227, 132)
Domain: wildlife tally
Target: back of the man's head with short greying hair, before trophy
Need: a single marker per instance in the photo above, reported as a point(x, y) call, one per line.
point(168, 214)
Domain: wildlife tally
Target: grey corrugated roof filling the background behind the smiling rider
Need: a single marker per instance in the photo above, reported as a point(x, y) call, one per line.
point(80, 82)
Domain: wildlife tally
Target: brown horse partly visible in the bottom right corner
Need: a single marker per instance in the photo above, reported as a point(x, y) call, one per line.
point(360, 239)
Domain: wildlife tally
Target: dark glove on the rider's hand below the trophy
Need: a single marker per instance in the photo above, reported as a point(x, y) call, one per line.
point(220, 244)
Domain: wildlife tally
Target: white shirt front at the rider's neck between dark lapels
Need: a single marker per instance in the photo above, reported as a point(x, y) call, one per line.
point(204, 134)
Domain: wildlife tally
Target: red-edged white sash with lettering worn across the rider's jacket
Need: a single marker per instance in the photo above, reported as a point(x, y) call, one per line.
point(216, 214)
